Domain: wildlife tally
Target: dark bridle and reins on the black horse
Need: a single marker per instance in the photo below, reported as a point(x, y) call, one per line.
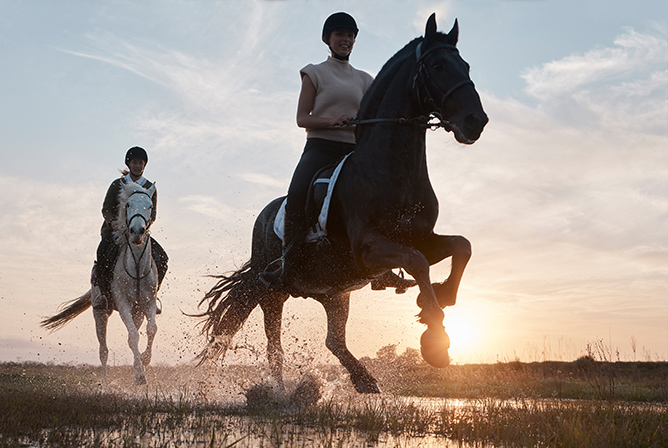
point(421, 82)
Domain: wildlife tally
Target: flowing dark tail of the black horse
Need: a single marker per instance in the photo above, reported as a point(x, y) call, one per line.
point(230, 302)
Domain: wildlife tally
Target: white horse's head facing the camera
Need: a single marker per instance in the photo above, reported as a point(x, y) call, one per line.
point(137, 208)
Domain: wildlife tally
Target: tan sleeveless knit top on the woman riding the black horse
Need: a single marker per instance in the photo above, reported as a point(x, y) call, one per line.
point(339, 90)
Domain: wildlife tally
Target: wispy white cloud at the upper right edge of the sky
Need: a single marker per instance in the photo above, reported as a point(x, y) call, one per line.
point(624, 85)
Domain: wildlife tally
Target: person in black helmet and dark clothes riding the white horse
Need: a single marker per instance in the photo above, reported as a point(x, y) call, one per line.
point(107, 251)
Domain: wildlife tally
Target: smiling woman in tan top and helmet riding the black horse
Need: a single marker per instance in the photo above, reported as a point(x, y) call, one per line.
point(330, 96)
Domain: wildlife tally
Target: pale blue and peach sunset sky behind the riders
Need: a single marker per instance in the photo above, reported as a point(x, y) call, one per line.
point(564, 197)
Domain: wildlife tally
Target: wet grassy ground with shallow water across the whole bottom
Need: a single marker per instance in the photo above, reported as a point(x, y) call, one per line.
point(609, 405)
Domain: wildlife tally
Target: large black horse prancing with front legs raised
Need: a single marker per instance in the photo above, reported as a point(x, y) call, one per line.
point(382, 214)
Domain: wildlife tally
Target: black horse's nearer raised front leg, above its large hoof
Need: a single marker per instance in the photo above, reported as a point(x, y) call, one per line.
point(381, 253)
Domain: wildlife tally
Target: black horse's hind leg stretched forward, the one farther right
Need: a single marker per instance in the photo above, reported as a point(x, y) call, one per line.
point(337, 309)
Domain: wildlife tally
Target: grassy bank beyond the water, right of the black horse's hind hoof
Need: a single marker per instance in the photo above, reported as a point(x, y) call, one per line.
point(584, 379)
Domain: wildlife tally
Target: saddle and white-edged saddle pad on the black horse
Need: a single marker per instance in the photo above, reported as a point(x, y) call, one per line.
point(317, 205)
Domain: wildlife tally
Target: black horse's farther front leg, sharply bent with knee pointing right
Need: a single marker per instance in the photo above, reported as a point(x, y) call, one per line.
point(438, 247)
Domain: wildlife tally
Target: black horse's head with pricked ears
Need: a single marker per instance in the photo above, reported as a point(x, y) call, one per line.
point(443, 84)
